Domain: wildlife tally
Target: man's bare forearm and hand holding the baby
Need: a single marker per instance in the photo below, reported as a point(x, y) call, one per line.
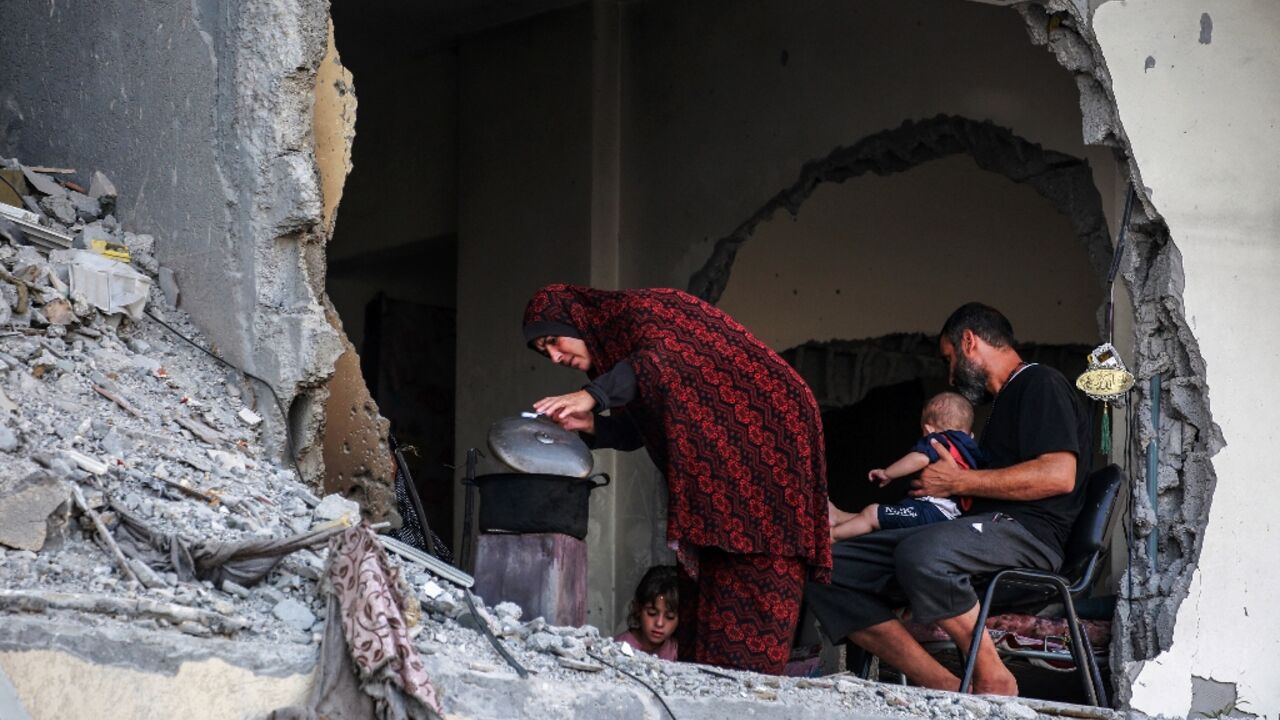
point(1048, 476)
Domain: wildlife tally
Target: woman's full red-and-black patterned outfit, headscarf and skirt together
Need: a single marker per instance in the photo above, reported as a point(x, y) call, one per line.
point(738, 436)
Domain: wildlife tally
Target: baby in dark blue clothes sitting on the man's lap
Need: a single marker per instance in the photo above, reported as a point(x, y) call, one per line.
point(948, 418)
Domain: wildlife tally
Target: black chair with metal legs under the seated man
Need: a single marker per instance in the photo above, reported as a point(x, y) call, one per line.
point(1080, 571)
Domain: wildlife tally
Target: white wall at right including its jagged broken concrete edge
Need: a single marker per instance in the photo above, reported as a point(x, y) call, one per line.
point(1203, 121)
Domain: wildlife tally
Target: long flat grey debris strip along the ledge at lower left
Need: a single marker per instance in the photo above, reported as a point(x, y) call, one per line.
point(42, 601)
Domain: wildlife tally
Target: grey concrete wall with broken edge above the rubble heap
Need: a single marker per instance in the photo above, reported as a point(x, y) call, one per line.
point(202, 115)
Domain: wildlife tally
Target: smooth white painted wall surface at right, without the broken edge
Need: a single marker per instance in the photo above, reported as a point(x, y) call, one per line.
point(1205, 126)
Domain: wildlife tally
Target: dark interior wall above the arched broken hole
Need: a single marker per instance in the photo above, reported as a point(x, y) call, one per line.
point(778, 88)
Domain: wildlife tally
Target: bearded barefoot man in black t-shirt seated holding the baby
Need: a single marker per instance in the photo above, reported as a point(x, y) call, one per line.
point(1037, 443)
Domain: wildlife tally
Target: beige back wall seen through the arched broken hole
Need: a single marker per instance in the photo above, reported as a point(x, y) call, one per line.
point(876, 256)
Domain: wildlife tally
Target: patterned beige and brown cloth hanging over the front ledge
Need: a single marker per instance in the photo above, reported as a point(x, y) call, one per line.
point(368, 664)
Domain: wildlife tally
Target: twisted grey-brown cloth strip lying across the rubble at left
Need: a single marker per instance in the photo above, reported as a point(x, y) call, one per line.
point(241, 563)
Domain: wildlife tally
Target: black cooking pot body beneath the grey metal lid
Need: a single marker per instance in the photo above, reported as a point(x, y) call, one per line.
point(536, 503)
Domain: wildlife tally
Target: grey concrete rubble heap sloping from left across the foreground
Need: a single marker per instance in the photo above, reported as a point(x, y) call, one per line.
point(108, 413)
